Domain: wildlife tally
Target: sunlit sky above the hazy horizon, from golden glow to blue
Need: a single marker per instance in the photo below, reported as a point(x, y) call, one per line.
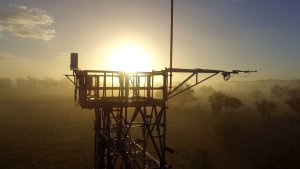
point(37, 36)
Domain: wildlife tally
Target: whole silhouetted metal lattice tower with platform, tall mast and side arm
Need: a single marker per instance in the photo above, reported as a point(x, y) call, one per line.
point(131, 111)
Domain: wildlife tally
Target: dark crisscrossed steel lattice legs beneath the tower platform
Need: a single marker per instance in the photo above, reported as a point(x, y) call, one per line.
point(123, 137)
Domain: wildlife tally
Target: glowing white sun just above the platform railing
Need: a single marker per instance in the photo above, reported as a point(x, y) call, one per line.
point(129, 58)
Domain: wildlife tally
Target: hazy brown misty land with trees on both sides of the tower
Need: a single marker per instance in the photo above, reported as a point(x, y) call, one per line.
point(248, 124)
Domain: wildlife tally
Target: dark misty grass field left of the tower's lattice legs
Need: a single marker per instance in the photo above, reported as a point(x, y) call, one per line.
point(45, 135)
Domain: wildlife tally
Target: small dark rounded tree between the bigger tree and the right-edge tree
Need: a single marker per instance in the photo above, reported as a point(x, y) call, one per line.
point(265, 107)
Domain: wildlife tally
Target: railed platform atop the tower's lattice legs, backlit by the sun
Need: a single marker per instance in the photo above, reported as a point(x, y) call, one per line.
point(100, 89)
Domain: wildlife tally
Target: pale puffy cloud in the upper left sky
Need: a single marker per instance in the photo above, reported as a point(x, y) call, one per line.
point(27, 23)
